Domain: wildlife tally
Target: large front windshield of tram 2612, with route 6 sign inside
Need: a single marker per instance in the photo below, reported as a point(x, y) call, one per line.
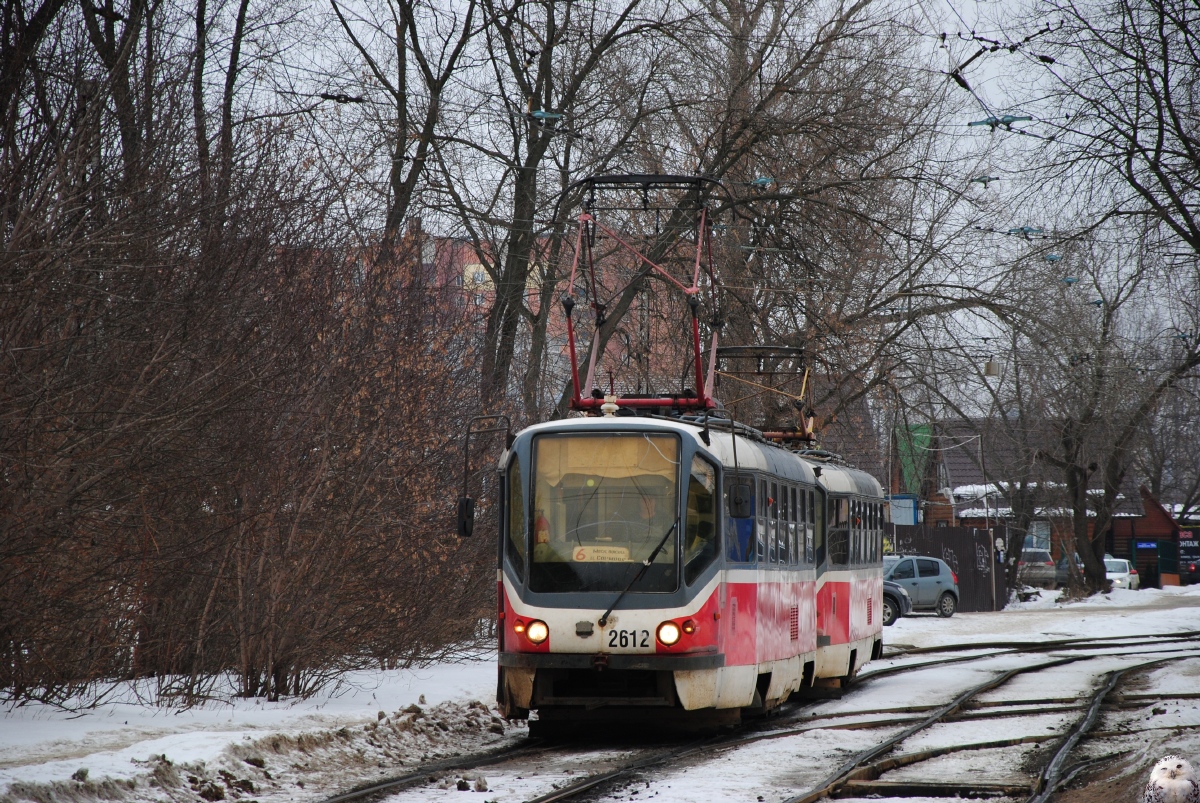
point(601, 506)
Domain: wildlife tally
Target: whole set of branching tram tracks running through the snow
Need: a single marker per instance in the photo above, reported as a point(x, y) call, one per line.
point(857, 772)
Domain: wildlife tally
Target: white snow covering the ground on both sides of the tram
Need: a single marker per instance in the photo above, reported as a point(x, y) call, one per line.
point(377, 724)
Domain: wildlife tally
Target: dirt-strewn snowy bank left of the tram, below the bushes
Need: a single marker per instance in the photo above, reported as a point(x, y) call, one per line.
point(374, 726)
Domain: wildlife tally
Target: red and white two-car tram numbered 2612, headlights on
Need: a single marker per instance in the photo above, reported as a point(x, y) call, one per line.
point(686, 568)
